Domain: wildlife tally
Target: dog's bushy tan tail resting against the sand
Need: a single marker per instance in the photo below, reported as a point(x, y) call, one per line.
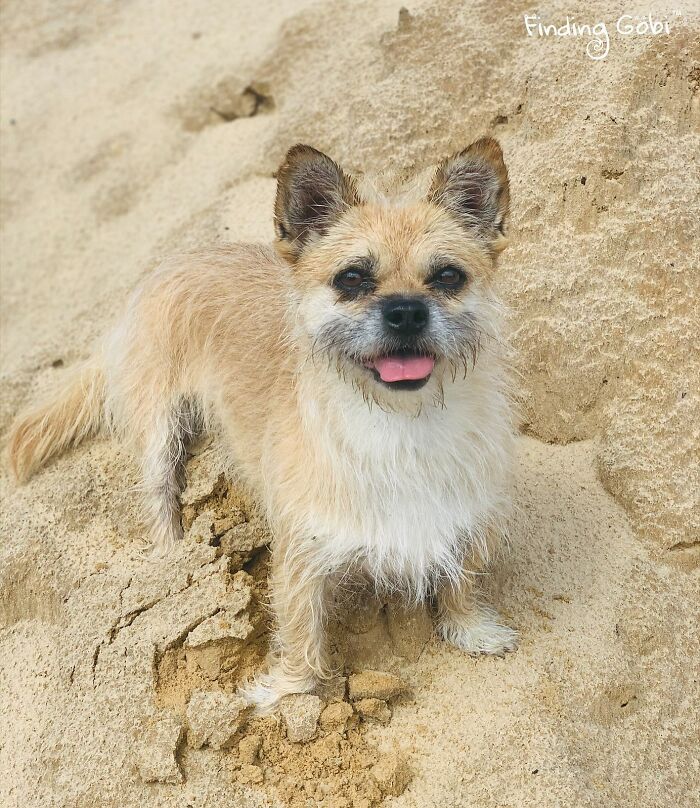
point(63, 420)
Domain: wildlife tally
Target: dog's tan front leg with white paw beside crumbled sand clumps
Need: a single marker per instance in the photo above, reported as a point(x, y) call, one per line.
point(297, 659)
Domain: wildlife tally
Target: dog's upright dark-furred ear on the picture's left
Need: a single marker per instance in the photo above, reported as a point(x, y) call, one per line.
point(312, 192)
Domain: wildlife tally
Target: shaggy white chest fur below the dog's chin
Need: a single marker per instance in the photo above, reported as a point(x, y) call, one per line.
point(403, 494)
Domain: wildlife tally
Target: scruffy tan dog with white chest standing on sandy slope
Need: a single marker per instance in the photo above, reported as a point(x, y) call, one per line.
point(356, 371)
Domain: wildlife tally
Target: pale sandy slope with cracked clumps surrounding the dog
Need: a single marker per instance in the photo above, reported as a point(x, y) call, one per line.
point(132, 129)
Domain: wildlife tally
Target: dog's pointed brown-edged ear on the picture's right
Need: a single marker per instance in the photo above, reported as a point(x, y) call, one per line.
point(473, 186)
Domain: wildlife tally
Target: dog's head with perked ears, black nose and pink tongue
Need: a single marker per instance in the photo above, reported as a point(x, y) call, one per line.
point(394, 292)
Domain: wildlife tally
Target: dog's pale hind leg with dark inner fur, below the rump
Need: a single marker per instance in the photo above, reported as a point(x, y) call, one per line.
point(163, 471)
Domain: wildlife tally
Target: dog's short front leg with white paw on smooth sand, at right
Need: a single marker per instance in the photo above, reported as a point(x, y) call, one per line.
point(467, 622)
